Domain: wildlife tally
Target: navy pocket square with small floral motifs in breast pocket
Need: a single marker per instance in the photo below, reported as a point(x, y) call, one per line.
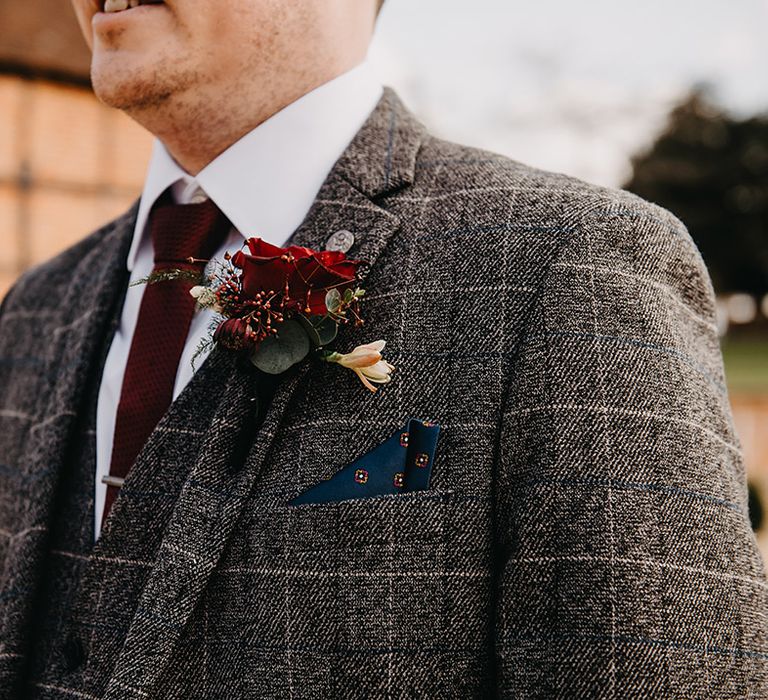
point(401, 463)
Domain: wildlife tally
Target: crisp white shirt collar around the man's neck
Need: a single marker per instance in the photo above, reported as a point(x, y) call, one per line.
point(266, 182)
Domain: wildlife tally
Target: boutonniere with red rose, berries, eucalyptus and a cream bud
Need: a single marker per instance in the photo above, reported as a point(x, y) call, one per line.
point(277, 305)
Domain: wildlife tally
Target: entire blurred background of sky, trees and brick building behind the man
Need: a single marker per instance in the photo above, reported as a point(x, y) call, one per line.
point(666, 99)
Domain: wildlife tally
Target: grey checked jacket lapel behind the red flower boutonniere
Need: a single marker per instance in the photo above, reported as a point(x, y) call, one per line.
point(380, 159)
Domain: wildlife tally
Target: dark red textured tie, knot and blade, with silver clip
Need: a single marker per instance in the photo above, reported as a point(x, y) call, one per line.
point(184, 236)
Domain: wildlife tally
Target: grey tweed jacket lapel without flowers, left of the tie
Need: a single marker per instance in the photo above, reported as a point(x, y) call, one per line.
point(90, 296)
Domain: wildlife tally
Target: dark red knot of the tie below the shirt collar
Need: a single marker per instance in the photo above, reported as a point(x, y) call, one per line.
point(181, 232)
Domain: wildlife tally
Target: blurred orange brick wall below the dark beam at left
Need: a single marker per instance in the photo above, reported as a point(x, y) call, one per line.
point(67, 165)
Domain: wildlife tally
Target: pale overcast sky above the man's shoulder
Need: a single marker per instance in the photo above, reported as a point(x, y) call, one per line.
point(570, 85)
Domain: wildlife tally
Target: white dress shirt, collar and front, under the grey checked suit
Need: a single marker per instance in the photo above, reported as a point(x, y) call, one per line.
point(265, 184)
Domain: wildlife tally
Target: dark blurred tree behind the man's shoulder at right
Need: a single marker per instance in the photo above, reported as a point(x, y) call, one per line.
point(711, 170)
